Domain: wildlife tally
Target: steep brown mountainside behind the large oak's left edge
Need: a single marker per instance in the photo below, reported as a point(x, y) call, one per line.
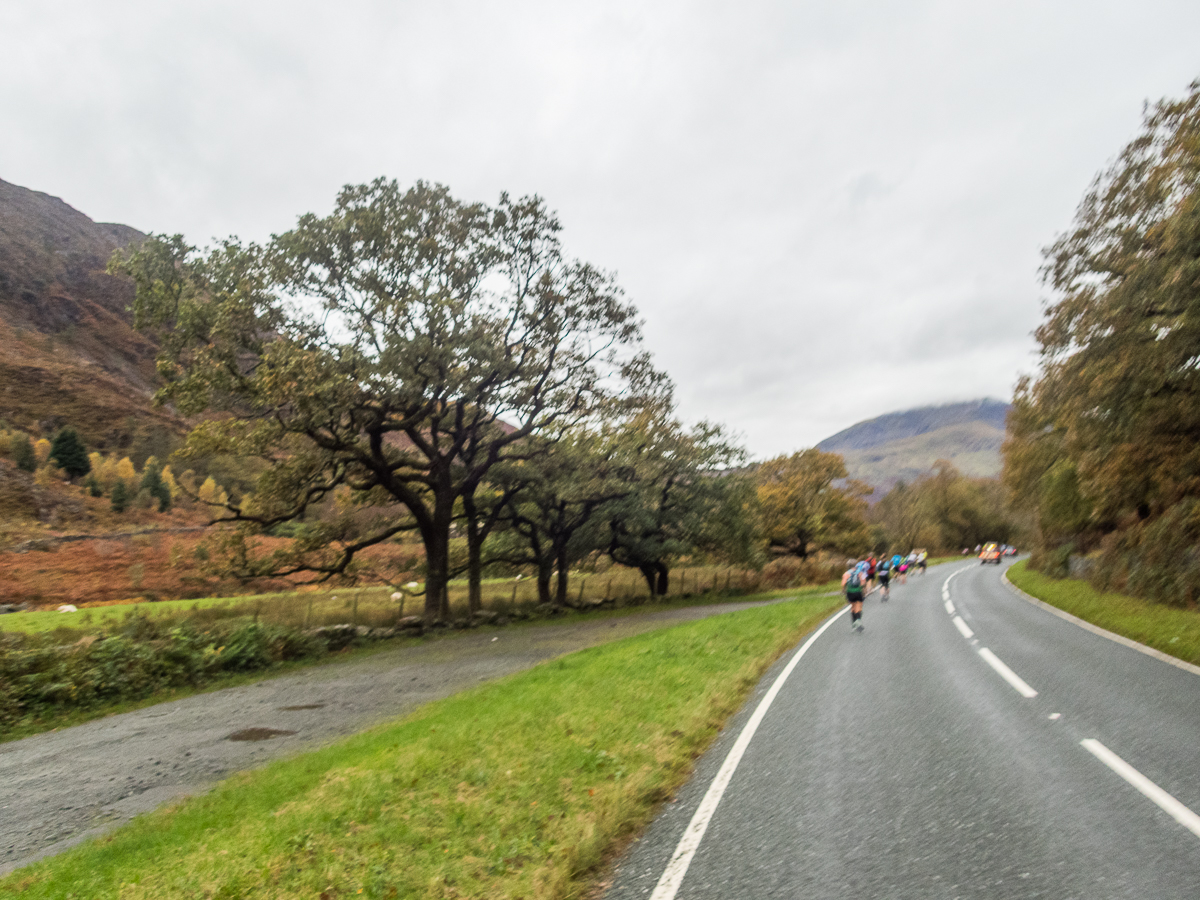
point(69, 353)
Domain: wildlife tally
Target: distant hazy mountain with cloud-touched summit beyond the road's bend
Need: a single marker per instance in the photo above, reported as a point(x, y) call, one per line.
point(903, 447)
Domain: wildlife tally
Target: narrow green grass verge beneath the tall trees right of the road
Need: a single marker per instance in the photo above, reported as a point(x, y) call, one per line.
point(1166, 628)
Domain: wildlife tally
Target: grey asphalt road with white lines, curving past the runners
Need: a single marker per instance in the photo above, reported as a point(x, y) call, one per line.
point(968, 745)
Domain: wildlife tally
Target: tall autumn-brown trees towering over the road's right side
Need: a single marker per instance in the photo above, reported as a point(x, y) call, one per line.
point(1105, 442)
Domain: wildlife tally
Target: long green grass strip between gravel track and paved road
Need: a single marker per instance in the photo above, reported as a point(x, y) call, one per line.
point(518, 789)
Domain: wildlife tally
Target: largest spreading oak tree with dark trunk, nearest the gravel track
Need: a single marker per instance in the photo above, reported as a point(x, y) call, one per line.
point(399, 349)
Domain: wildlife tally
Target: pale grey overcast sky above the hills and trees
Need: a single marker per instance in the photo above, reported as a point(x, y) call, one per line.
point(825, 212)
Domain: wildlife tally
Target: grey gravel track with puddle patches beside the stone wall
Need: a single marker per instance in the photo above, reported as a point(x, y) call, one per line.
point(62, 788)
